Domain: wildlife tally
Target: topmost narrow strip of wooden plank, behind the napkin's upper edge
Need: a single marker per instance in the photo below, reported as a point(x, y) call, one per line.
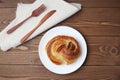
point(85, 3)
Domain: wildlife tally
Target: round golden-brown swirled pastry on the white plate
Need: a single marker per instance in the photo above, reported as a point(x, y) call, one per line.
point(63, 49)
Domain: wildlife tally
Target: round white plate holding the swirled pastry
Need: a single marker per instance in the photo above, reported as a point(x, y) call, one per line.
point(62, 69)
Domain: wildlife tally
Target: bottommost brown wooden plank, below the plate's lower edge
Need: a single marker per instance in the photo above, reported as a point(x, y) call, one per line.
point(40, 73)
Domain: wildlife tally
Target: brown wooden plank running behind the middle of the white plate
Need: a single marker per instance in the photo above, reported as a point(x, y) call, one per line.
point(100, 52)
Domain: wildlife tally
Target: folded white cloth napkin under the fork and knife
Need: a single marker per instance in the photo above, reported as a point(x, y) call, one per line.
point(63, 11)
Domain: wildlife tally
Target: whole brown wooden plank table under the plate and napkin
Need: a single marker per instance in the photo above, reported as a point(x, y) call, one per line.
point(99, 22)
